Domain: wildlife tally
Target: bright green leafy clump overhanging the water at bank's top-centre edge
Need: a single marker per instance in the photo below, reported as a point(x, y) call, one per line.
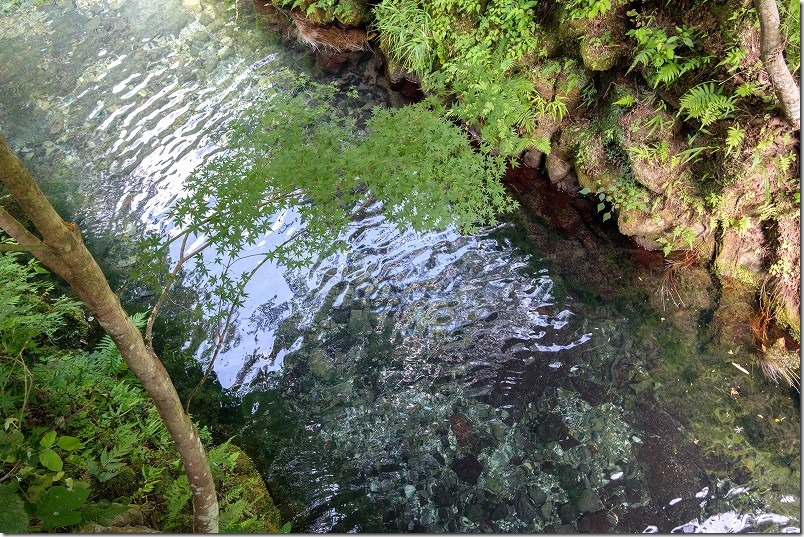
point(469, 52)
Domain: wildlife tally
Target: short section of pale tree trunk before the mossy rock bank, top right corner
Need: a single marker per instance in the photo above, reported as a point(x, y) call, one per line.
point(784, 85)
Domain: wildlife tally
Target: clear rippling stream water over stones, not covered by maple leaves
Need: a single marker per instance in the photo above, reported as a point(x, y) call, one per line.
point(414, 383)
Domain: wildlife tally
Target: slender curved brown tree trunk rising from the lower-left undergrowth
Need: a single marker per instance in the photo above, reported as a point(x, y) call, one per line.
point(68, 257)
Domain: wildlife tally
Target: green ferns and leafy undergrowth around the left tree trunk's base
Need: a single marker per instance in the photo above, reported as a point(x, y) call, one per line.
point(81, 441)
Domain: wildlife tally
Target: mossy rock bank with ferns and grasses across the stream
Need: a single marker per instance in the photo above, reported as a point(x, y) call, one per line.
point(665, 113)
